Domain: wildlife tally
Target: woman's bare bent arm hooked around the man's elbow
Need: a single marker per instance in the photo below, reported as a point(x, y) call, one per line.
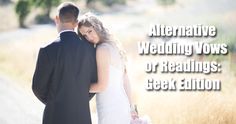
point(102, 58)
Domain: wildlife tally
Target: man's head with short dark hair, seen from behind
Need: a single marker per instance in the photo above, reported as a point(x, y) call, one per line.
point(67, 16)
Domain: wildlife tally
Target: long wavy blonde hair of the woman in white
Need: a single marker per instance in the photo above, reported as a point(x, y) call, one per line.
point(88, 20)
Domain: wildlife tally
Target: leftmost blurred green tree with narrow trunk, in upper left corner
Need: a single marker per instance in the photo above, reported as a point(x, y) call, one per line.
point(22, 9)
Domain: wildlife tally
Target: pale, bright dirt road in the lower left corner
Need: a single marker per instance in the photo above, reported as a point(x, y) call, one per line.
point(18, 105)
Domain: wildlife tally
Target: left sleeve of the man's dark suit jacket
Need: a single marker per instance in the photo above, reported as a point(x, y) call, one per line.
point(42, 76)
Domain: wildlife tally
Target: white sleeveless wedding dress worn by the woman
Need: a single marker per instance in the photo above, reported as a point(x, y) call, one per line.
point(113, 104)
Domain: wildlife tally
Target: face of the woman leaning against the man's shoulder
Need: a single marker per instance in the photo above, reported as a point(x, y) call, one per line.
point(90, 34)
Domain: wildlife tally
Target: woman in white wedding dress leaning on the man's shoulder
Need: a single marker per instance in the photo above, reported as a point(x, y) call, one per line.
point(113, 89)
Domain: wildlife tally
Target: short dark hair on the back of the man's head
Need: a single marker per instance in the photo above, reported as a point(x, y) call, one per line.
point(68, 12)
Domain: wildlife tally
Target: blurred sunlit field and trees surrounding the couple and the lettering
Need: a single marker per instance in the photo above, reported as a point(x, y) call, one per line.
point(27, 25)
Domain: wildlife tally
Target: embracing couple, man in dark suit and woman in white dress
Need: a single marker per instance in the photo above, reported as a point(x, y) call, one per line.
point(70, 71)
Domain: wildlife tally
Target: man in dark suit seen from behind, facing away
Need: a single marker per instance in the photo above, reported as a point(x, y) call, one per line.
point(64, 71)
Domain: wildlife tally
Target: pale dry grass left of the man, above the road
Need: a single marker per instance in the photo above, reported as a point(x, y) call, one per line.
point(18, 56)
